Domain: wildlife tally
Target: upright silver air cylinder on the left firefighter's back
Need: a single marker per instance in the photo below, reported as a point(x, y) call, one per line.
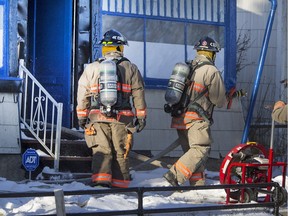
point(108, 84)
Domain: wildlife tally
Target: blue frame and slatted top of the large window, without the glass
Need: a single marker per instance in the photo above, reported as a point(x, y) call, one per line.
point(222, 13)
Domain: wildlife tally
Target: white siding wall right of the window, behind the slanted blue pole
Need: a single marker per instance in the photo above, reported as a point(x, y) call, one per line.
point(251, 20)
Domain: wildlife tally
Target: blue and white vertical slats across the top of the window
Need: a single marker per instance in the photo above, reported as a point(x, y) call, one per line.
point(205, 10)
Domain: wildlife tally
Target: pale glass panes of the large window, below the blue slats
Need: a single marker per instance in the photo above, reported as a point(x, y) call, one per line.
point(155, 46)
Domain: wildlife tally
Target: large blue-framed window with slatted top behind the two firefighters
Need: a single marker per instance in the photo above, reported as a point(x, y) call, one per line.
point(163, 32)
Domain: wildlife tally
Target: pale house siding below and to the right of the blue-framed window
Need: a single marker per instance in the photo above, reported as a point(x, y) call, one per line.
point(229, 124)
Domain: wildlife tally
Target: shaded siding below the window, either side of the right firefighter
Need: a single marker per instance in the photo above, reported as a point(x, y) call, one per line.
point(226, 130)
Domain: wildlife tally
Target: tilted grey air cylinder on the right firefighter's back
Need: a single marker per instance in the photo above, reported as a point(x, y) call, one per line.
point(176, 83)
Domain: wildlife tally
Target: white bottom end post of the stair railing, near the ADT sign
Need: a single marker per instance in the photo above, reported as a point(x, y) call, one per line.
point(58, 136)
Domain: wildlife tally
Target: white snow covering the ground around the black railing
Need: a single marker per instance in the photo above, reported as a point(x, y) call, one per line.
point(123, 201)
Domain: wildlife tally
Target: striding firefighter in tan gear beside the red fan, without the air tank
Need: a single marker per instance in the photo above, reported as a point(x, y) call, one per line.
point(206, 90)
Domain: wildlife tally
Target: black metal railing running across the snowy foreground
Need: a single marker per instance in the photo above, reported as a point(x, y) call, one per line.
point(140, 191)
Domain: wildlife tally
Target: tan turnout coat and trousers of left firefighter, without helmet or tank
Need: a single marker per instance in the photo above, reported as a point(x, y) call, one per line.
point(109, 166)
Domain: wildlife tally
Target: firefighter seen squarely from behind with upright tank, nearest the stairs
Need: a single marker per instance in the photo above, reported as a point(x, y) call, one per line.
point(108, 129)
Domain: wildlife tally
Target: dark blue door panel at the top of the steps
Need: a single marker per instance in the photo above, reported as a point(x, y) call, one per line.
point(53, 50)
